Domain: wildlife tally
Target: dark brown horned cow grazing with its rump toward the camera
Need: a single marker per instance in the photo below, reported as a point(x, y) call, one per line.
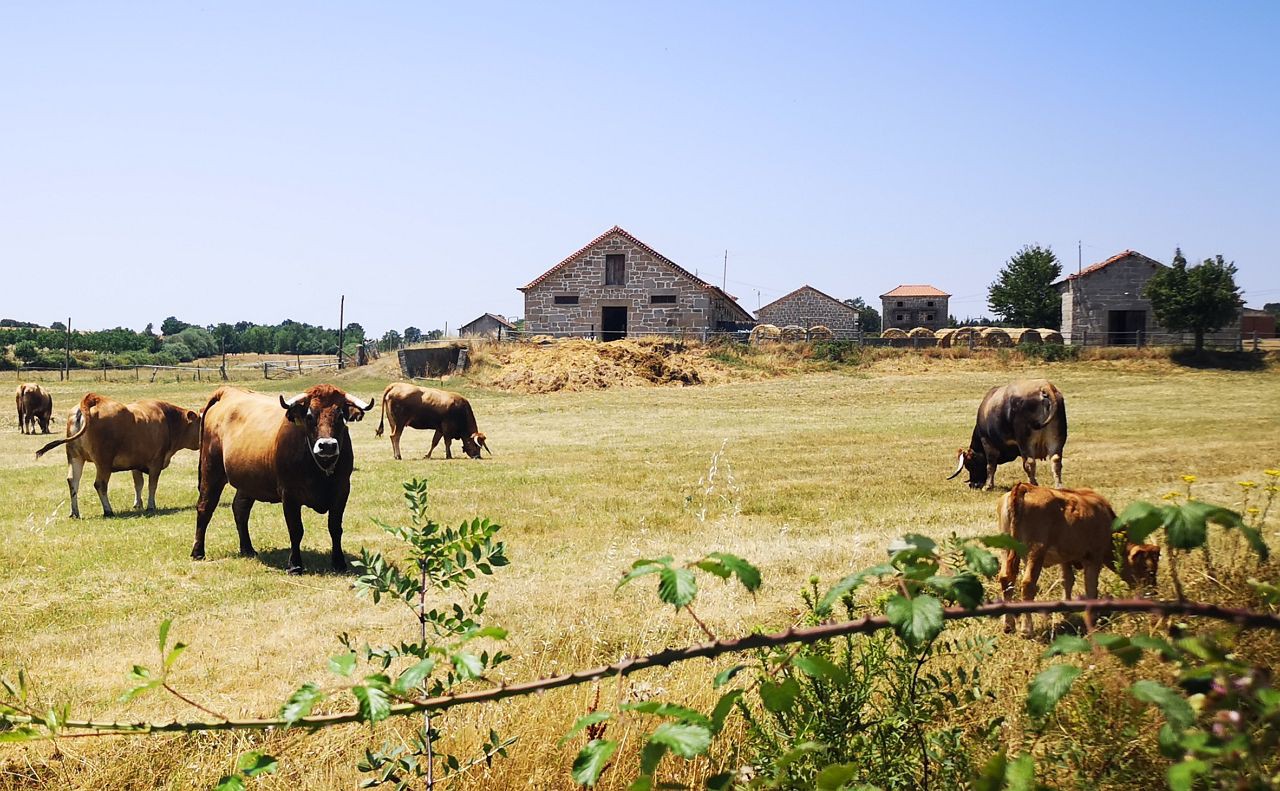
point(1026, 419)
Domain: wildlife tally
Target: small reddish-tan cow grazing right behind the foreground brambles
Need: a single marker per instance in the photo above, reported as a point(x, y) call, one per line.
point(1071, 528)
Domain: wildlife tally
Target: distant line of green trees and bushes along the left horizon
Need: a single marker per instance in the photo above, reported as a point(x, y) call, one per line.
point(177, 342)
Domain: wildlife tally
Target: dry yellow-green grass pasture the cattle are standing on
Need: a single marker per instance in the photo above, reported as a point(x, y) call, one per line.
point(819, 473)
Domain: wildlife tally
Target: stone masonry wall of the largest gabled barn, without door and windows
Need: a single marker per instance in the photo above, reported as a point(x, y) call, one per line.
point(696, 307)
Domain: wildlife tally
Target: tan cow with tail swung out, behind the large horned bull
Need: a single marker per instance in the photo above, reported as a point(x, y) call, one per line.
point(141, 437)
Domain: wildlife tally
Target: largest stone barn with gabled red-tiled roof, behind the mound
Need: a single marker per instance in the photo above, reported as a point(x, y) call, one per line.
point(619, 286)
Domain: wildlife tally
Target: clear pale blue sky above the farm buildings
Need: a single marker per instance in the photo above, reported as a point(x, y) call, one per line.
point(255, 161)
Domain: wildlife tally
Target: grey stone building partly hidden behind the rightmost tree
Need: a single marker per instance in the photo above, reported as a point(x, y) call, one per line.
point(1103, 305)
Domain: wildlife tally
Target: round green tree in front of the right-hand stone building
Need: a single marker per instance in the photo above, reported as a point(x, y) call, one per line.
point(1199, 300)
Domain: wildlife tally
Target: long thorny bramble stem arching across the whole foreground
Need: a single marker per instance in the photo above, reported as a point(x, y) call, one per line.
point(1244, 619)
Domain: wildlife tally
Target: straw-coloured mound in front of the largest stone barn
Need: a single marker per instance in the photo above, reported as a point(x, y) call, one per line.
point(587, 365)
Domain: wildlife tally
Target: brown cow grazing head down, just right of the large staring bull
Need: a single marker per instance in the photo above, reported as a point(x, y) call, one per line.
point(409, 406)
